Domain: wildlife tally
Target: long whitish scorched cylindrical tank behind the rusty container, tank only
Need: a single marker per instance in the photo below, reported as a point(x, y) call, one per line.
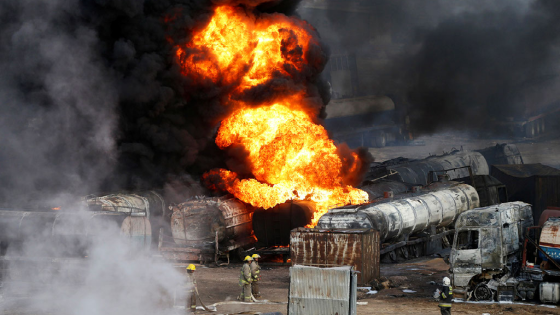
point(406, 216)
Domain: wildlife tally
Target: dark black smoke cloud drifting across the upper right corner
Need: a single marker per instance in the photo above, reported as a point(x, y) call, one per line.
point(478, 68)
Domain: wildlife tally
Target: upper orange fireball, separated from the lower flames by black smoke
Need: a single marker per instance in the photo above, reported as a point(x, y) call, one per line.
point(237, 47)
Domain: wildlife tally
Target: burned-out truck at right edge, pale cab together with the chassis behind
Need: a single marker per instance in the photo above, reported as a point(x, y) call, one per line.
point(499, 255)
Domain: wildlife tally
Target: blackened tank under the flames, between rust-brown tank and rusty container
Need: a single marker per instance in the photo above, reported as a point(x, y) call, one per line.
point(272, 226)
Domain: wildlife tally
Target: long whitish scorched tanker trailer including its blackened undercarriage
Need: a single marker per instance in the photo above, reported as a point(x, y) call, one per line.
point(416, 225)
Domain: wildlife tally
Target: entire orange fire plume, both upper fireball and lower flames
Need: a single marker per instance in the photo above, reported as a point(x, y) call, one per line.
point(289, 155)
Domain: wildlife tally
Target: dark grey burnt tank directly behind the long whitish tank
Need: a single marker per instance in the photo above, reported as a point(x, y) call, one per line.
point(417, 172)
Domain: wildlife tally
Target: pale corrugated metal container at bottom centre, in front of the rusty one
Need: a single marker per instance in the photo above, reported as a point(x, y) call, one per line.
point(322, 291)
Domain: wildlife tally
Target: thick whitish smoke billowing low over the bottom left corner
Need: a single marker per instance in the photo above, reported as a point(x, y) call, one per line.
point(118, 276)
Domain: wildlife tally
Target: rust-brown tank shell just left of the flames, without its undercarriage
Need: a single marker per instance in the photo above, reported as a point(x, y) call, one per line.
point(199, 220)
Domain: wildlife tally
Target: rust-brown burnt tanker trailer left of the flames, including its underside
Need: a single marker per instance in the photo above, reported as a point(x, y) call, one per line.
point(203, 229)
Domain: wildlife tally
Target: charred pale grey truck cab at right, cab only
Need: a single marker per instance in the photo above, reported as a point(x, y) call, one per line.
point(486, 251)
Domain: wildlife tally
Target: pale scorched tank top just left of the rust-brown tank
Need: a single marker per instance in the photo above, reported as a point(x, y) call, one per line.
point(149, 203)
